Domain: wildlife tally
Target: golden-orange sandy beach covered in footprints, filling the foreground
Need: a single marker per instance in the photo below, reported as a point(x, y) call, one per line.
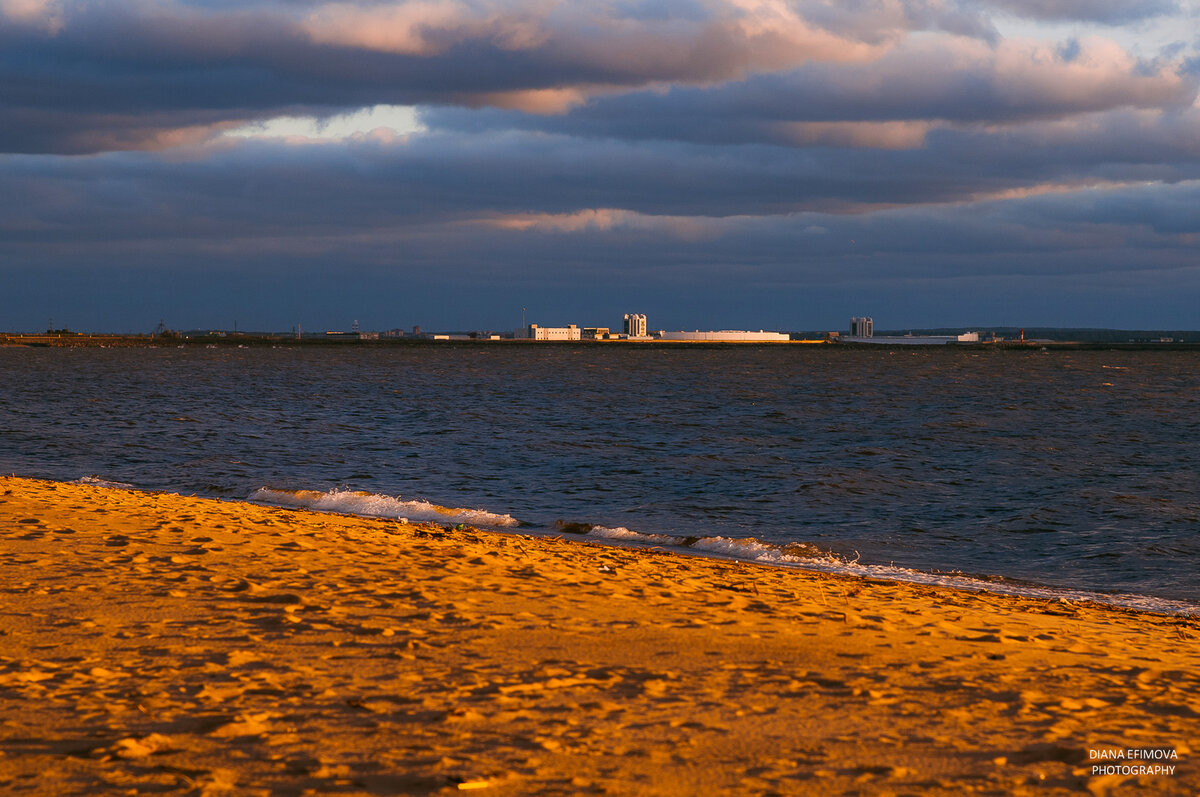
point(155, 644)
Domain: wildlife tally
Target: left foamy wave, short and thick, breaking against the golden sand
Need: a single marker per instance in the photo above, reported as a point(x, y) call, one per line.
point(369, 505)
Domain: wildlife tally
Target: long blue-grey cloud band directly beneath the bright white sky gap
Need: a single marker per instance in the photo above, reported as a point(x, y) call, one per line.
point(287, 197)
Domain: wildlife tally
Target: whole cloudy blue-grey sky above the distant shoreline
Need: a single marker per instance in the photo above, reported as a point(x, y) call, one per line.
point(463, 165)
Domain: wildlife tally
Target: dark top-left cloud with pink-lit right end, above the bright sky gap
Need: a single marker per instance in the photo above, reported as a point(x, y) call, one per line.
point(89, 77)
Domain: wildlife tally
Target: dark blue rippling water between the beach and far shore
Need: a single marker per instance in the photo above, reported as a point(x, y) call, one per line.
point(1075, 470)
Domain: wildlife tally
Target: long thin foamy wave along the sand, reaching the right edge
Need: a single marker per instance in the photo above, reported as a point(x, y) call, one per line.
point(809, 558)
